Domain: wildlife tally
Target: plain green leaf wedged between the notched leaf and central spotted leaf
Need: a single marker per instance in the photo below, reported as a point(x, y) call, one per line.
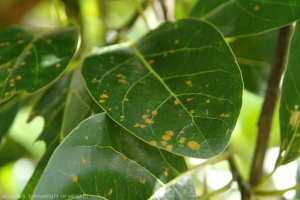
point(79, 106)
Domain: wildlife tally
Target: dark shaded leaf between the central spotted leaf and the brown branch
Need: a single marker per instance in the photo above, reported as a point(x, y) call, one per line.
point(255, 57)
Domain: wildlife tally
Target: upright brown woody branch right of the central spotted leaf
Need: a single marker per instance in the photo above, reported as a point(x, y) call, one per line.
point(271, 98)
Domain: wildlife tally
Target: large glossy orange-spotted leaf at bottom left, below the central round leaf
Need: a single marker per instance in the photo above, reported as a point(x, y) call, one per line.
point(102, 160)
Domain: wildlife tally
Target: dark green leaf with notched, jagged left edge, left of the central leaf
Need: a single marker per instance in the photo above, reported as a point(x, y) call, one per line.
point(51, 108)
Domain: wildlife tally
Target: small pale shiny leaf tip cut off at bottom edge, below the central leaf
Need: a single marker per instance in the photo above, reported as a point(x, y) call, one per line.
point(181, 189)
